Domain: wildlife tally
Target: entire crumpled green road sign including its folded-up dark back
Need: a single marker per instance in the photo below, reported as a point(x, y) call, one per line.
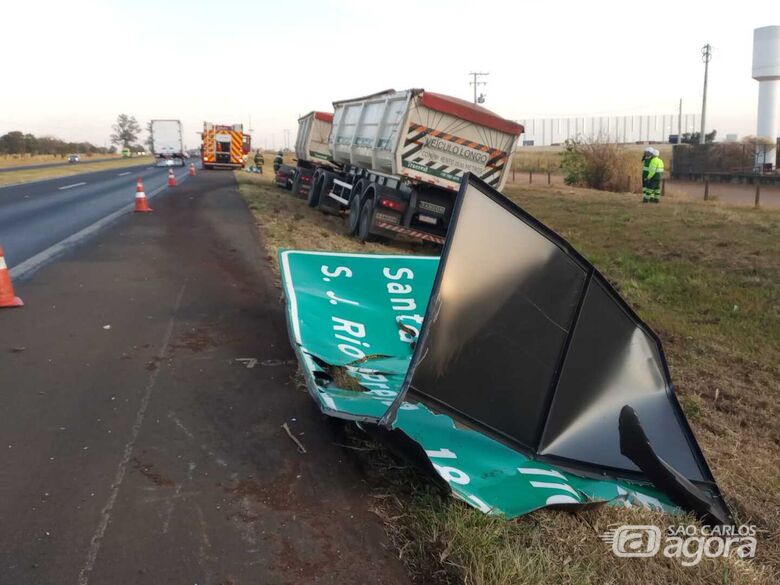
point(523, 386)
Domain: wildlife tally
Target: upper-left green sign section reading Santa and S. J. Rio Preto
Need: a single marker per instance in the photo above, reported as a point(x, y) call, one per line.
point(353, 320)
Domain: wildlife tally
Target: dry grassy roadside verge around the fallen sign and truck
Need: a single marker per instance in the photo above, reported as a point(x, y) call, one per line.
point(707, 278)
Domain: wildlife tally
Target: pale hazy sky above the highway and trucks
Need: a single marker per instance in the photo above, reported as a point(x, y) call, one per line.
point(70, 68)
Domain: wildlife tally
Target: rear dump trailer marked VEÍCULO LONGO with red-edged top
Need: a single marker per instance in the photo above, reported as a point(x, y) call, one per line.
point(395, 160)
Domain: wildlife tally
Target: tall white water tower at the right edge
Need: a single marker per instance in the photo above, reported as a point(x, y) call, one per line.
point(766, 70)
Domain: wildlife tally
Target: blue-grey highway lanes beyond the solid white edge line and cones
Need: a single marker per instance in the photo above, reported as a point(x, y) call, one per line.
point(36, 216)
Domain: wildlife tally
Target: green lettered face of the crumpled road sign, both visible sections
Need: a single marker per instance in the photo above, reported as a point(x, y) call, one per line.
point(354, 320)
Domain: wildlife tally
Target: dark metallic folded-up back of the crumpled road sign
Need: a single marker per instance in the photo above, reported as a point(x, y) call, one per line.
point(524, 340)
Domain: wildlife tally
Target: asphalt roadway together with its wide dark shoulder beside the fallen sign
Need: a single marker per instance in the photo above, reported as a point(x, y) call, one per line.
point(138, 446)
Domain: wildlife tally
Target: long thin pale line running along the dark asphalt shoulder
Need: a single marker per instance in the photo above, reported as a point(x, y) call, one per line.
point(105, 514)
